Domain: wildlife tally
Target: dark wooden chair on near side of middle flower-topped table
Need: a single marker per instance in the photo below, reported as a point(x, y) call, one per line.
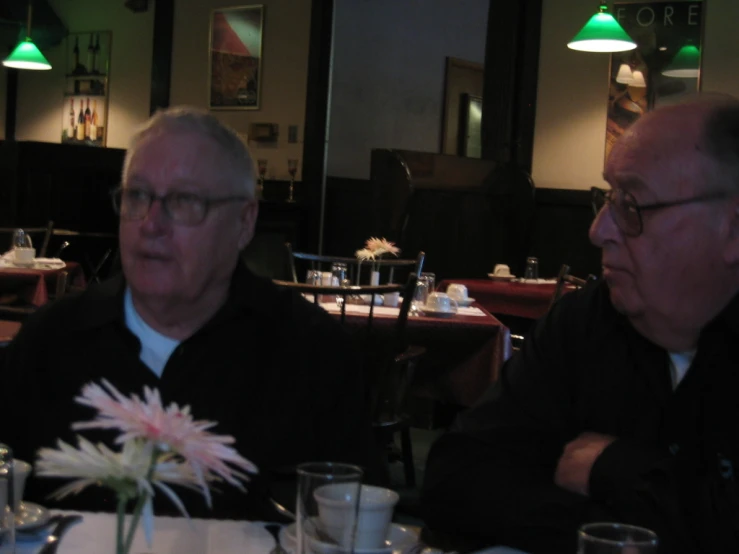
point(388, 361)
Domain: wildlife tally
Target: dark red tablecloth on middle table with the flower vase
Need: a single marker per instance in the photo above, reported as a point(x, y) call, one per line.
point(463, 358)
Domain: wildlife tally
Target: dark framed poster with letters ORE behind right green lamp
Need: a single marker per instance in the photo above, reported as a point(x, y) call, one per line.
point(660, 28)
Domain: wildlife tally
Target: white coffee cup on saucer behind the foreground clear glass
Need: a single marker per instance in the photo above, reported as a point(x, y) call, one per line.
point(376, 505)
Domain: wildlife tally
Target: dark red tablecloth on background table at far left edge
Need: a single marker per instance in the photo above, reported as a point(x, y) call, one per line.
point(33, 285)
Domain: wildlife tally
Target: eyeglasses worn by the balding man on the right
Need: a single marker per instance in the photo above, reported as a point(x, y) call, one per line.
point(627, 213)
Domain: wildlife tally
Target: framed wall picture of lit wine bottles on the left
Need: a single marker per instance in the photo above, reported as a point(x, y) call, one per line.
point(85, 105)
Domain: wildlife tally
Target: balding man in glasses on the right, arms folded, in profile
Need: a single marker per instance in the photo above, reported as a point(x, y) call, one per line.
point(621, 405)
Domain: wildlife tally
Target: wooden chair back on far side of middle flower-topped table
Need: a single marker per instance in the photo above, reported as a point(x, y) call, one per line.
point(357, 271)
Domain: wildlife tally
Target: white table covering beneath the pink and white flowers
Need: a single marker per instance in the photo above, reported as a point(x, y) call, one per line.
point(96, 535)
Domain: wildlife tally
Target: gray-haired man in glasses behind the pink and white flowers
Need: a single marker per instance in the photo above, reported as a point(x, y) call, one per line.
point(188, 318)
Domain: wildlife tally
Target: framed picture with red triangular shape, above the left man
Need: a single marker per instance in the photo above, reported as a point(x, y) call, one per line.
point(235, 58)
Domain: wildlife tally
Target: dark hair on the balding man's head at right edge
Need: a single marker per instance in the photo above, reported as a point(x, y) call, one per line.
point(721, 139)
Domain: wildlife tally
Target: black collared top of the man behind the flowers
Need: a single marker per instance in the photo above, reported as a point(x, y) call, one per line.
point(276, 372)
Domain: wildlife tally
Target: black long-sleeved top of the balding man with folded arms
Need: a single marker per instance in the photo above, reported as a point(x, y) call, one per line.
point(584, 368)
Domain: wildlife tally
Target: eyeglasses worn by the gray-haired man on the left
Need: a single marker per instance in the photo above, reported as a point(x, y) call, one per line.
point(184, 208)
